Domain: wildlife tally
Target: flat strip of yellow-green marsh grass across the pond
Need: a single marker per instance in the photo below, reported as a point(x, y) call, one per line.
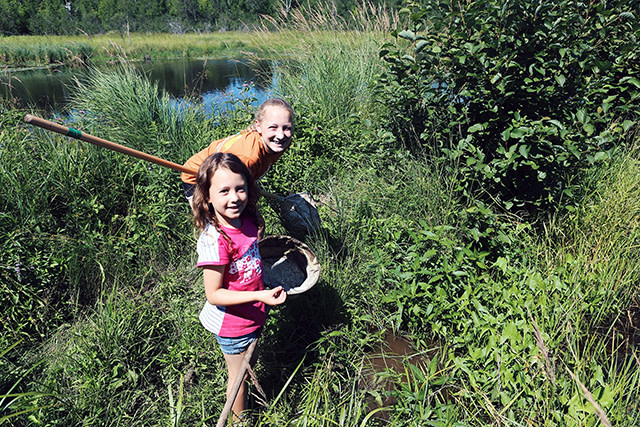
point(17, 52)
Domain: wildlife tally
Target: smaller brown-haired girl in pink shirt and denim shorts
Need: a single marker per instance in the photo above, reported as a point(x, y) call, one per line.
point(225, 210)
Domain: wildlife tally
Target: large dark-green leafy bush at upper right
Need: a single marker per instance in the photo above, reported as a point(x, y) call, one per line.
point(522, 97)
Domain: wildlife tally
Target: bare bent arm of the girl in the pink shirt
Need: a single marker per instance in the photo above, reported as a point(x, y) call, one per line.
point(217, 295)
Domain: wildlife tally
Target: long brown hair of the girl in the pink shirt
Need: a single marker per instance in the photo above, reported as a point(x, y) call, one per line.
point(203, 212)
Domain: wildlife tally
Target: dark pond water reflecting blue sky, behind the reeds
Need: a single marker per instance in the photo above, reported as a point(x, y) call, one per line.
point(213, 81)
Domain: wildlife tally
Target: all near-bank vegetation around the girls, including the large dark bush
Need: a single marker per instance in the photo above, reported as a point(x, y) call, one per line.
point(522, 304)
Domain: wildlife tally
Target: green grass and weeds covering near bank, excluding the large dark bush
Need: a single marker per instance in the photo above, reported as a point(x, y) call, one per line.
point(512, 325)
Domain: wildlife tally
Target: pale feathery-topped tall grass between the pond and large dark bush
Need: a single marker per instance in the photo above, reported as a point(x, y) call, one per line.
point(328, 78)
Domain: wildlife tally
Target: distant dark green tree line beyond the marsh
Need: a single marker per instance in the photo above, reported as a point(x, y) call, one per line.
point(59, 17)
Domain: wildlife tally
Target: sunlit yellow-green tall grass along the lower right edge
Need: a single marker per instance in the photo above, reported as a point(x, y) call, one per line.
point(598, 257)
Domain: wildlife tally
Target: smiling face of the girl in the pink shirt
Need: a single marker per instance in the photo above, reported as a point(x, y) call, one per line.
point(228, 193)
